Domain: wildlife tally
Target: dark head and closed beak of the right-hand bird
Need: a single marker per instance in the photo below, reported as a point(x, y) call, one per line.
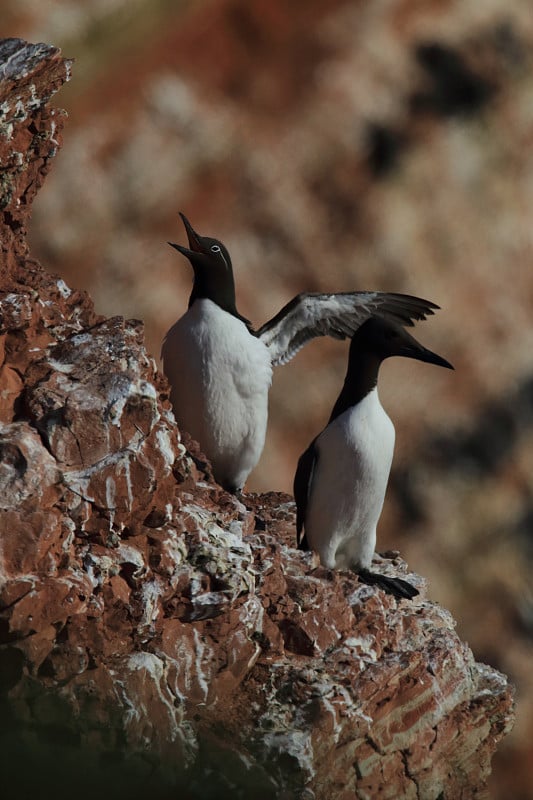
point(379, 339)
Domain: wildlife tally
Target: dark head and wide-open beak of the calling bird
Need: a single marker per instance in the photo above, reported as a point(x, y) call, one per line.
point(213, 272)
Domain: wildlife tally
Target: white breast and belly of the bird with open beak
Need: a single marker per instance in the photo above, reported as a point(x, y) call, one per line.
point(220, 375)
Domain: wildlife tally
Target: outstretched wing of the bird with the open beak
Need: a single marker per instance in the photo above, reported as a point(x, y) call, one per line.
point(338, 315)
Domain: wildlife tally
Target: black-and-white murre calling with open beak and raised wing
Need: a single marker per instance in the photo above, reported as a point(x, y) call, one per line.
point(220, 369)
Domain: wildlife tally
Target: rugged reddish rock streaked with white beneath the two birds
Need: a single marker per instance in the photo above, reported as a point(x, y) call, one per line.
point(157, 633)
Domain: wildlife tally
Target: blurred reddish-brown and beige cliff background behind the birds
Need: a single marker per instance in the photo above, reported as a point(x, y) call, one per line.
point(332, 146)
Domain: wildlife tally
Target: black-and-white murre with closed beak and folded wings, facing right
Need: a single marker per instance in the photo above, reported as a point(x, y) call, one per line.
point(341, 478)
